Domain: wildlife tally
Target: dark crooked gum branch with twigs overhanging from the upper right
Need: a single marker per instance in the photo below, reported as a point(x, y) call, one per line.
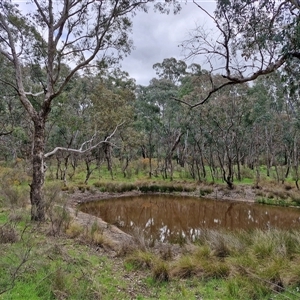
point(234, 56)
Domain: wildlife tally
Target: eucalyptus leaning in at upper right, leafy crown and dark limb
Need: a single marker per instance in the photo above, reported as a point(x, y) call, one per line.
point(250, 39)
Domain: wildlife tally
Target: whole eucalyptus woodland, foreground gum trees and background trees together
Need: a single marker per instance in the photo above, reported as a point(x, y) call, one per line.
point(63, 93)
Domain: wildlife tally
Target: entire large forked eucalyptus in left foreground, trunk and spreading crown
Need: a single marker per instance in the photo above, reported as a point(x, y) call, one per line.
point(50, 34)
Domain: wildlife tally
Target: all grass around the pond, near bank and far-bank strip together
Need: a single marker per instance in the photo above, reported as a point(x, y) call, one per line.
point(61, 259)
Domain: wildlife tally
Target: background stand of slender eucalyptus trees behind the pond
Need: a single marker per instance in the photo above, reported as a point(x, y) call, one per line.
point(237, 132)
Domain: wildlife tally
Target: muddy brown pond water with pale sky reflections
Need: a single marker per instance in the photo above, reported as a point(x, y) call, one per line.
point(171, 218)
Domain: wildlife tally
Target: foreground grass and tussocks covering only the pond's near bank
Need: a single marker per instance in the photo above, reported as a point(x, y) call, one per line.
point(221, 265)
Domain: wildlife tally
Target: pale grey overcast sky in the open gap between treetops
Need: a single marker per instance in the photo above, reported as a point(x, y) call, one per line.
point(157, 36)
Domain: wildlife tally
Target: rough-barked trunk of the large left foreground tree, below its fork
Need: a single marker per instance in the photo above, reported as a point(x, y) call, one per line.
point(38, 172)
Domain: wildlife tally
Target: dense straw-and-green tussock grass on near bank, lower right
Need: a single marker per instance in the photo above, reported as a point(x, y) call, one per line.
point(266, 260)
